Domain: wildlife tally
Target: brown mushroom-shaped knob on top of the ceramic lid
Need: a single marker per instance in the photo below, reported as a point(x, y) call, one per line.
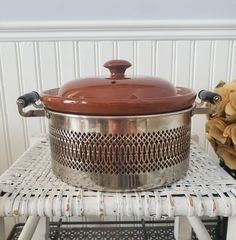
point(117, 68)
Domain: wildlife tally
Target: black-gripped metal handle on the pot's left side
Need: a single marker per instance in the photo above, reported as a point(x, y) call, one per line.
point(28, 99)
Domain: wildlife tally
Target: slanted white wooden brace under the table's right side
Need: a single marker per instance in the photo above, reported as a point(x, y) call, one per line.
point(199, 228)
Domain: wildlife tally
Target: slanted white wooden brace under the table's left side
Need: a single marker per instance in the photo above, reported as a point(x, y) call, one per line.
point(29, 228)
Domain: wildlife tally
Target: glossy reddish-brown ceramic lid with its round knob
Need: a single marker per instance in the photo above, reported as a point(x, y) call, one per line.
point(118, 94)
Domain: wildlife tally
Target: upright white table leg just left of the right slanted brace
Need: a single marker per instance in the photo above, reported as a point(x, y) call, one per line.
point(182, 228)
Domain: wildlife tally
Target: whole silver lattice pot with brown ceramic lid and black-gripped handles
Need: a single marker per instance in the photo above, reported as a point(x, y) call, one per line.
point(118, 133)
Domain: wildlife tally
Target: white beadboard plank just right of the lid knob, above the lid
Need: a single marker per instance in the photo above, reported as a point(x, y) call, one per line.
point(144, 57)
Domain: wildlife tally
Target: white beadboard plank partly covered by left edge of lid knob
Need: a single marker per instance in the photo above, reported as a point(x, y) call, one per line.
point(105, 53)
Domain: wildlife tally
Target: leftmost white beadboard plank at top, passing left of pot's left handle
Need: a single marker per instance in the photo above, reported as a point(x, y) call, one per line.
point(12, 91)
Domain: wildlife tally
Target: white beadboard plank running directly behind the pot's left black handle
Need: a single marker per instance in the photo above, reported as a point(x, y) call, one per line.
point(29, 80)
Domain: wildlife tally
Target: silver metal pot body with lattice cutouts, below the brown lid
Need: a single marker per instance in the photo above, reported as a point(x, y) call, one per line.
point(120, 154)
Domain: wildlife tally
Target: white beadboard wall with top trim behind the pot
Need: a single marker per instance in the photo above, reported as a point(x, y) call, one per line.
point(33, 60)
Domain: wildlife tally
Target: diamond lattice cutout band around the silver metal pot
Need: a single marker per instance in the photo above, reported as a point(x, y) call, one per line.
point(120, 154)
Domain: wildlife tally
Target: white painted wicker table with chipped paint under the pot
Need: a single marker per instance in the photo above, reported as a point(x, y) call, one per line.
point(29, 188)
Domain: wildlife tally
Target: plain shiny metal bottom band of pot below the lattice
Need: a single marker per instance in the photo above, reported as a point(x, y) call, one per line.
point(120, 182)
